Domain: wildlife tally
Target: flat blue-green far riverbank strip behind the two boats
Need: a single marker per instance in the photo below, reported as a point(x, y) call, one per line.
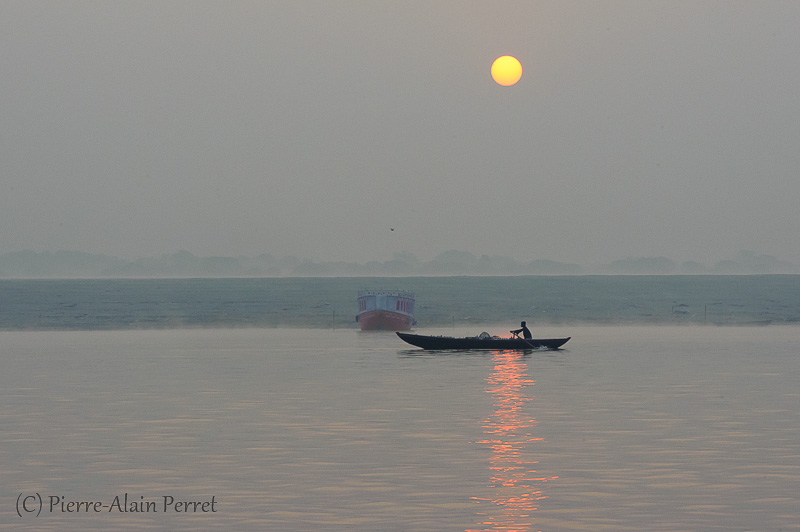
point(441, 301)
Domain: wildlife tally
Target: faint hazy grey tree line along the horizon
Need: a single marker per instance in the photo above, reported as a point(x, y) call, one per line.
point(77, 264)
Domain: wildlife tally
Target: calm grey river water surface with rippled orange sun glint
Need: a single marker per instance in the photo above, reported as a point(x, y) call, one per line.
point(648, 428)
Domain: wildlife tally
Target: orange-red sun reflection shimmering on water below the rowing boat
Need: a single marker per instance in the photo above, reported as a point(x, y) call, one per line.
point(517, 485)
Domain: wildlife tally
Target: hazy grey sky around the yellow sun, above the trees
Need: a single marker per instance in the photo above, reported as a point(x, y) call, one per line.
point(311, 128)
